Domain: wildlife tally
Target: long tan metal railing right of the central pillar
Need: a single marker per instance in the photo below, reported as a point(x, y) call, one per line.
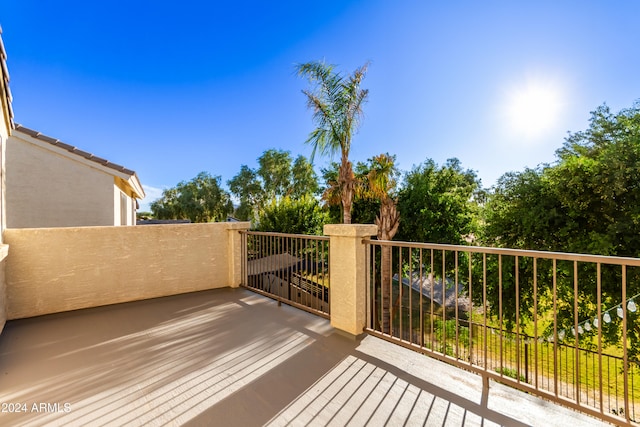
point(563, 326)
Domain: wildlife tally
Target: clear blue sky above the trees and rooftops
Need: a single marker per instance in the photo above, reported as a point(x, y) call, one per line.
point(171, 89)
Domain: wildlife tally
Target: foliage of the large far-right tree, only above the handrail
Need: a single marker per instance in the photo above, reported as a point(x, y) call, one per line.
point(587, 202)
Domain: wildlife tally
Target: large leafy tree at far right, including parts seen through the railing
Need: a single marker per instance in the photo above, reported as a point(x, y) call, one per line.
point(587, 202)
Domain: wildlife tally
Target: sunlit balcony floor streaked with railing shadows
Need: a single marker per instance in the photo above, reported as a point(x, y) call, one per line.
point(231, 357)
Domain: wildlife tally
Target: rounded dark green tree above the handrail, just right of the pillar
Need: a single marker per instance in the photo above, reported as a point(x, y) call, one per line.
point(437, 203)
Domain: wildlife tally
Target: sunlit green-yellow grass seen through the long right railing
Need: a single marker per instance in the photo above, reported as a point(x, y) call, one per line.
point(555, 366)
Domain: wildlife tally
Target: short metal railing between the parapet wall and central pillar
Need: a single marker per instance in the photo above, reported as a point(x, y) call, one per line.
point(290, 268)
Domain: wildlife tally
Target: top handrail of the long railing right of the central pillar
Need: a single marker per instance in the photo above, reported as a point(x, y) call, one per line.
point(564, 256)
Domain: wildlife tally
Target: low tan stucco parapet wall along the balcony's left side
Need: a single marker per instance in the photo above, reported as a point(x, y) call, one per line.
point(51, 270)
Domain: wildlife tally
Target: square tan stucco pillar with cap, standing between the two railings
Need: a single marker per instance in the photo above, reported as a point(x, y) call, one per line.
point(347, 266)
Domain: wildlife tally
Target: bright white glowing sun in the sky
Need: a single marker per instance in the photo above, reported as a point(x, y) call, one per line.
point(533, 108)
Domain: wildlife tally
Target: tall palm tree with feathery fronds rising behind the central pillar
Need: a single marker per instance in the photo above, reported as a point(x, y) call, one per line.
point(336, 101)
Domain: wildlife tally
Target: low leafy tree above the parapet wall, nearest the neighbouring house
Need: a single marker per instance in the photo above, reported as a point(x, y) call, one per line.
point(199, 200)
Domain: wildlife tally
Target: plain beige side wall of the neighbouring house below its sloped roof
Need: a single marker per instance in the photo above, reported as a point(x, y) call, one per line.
point(47, 189)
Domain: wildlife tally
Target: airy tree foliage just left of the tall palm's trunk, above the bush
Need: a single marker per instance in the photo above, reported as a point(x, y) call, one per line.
point(277, 176)
